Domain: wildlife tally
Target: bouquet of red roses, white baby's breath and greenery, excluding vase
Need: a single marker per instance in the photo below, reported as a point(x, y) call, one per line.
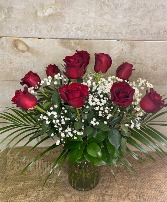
point(93, 118)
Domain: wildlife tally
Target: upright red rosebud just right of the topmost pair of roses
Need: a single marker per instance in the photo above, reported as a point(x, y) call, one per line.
point(102, 62)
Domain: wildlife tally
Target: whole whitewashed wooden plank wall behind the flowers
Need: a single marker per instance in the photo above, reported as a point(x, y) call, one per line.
point(36, 33)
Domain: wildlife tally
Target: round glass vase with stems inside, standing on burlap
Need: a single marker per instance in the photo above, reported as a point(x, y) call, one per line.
point(83, 176)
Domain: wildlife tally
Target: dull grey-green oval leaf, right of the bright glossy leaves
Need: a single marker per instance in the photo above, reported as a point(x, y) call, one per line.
point(115, 138)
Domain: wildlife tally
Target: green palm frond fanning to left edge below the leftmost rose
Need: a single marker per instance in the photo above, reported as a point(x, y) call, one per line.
point(19, 123)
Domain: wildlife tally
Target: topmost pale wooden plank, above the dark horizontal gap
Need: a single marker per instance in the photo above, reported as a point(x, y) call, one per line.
point(97, 19)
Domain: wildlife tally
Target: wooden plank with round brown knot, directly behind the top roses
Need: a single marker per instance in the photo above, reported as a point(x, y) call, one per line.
point(18, 56)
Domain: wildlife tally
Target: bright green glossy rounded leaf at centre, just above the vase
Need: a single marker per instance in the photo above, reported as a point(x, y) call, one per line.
point(94, 150)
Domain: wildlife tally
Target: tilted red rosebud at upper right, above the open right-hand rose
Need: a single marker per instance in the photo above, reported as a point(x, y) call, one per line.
point(124, 71)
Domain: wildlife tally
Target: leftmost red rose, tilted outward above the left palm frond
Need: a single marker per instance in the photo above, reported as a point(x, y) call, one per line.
point(24, 99)
